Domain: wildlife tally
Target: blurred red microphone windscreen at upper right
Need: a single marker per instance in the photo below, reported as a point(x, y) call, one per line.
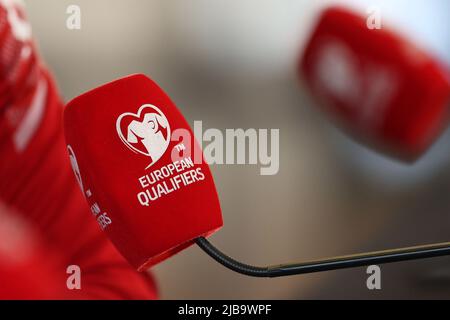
point(380, 87)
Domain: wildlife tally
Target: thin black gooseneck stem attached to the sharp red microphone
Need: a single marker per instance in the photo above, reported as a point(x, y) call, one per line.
point(351, 261)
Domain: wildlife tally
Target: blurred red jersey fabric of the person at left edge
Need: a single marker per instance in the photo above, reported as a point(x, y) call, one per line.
point(37, 184)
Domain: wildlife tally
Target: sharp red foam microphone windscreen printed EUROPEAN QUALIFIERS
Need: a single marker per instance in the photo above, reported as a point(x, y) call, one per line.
point(141, 170)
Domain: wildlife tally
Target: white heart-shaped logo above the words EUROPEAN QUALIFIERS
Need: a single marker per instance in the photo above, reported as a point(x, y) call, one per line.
point(147, 132)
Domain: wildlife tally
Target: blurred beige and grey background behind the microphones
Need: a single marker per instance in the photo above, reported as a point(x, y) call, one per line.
point(231, 64)
